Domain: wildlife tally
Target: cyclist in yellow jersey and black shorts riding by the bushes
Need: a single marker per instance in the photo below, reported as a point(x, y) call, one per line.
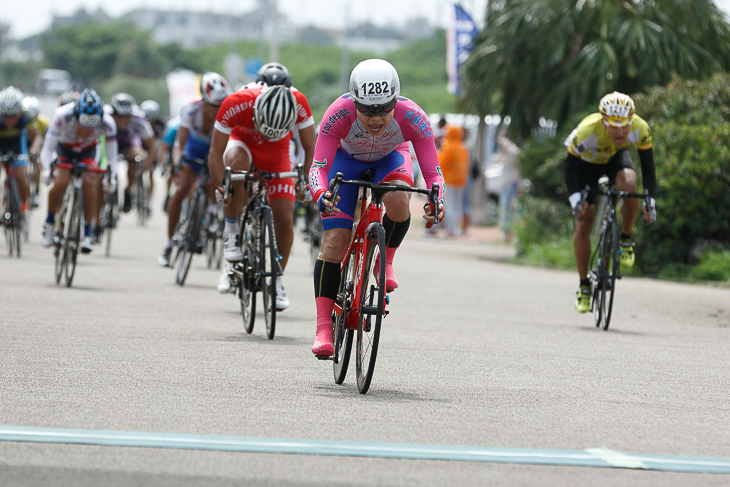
point(597, 147)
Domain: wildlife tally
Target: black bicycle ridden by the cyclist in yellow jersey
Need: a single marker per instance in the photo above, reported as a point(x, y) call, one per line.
point(605, 263)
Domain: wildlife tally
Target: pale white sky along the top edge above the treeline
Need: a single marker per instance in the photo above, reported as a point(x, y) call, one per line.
point(34, 16)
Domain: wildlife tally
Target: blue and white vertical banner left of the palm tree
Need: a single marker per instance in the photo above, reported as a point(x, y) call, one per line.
point(460, 35)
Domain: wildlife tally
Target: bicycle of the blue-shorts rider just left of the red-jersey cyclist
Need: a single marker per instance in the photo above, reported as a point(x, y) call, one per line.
point(190, 238)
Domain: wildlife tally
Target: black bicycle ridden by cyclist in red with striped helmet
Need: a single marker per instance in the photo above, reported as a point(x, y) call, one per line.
point(260, 267)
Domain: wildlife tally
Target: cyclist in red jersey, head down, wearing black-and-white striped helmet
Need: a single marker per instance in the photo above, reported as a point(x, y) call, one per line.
point(253, 128)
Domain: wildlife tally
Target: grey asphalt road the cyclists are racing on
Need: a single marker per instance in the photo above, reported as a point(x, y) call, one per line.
point(475, 352)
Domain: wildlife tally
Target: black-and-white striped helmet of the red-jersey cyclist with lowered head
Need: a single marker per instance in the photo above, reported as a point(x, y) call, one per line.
point(275, 112)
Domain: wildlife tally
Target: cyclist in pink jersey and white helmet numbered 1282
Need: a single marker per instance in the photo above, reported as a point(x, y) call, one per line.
point(368, 128)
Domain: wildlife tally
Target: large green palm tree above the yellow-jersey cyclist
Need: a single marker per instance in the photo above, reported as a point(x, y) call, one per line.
point(552, 58)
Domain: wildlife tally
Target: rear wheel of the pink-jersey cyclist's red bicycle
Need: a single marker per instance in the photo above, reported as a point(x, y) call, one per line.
point(343, 336)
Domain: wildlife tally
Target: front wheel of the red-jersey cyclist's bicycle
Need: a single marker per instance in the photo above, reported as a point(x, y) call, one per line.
point(269, 269)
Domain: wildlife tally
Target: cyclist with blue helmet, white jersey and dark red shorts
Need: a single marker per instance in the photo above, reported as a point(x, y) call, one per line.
point(73, 134)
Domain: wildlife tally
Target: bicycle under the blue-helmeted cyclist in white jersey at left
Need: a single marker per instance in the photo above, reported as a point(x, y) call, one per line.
point(67, 232)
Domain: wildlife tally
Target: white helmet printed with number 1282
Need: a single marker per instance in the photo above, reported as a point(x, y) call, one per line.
point(374, 82)
